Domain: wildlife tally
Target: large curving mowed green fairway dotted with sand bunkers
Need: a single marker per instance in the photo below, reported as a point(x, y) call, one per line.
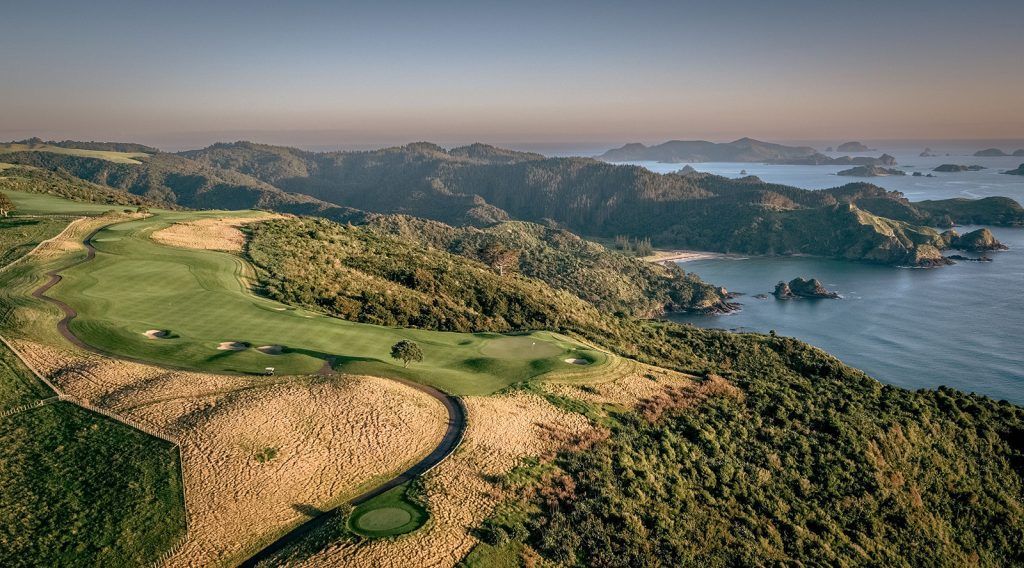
point(199, 297)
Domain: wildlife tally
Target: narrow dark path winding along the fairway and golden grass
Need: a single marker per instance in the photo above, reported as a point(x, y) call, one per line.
point(454, 406)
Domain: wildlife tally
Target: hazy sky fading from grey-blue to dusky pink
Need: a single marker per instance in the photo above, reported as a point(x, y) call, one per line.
point(350, 74)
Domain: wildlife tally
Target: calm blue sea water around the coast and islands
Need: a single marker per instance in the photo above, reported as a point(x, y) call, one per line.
point(960, 326)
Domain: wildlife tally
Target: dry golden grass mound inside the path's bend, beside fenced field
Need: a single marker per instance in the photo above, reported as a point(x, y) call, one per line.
point(325, 439)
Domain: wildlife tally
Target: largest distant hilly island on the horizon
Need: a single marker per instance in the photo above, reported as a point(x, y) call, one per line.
point(676, 152)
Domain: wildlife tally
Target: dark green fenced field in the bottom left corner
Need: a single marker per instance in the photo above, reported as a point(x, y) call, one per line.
point(79, 490)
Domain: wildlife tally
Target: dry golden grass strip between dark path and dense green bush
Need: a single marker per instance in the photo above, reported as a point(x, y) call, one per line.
point(461, 492)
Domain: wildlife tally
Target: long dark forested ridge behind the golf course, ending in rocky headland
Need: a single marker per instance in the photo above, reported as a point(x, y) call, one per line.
point(482, 186)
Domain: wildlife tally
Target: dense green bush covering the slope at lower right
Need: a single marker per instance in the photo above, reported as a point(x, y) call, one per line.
point(807, 462)
